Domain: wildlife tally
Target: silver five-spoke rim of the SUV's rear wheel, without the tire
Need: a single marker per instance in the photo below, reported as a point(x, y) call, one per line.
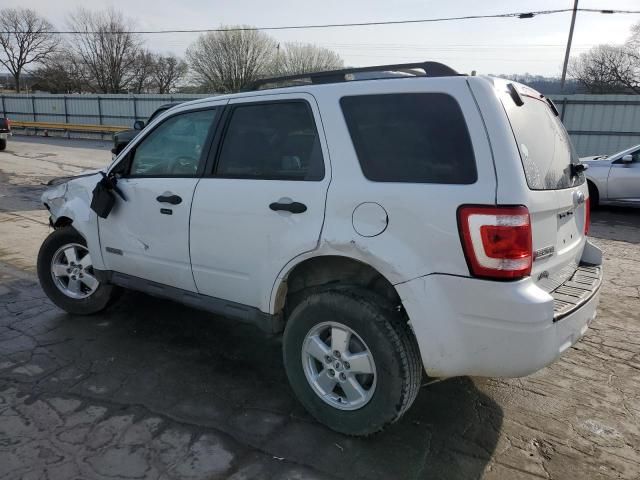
point(339, 366)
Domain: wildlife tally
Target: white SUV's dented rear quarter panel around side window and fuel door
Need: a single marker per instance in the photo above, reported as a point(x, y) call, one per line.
point(422, 232)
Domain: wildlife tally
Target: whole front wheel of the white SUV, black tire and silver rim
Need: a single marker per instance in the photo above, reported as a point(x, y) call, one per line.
point(66, 275)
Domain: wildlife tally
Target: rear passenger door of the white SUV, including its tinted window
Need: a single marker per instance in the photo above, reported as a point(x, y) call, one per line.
point(262, 202)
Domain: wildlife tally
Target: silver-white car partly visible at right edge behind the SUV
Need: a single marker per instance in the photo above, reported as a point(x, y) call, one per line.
point(614, 179)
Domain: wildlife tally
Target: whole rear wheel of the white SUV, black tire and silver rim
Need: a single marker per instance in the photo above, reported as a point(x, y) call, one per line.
point(352, 360)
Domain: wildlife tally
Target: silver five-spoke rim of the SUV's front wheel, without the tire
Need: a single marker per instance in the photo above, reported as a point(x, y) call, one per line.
point(72, 271)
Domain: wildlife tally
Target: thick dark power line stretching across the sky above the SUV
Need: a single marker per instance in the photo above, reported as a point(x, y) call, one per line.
point(522, 15)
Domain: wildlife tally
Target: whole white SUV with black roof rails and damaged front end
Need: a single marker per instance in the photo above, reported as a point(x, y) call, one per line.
point(384, 225)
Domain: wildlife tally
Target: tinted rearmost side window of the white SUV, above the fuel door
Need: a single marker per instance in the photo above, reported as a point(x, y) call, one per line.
point(410, 137)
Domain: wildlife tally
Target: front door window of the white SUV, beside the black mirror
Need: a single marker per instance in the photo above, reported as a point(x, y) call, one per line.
point(176, 147)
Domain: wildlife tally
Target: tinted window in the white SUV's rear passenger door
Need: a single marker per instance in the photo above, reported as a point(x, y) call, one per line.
point(271, 141)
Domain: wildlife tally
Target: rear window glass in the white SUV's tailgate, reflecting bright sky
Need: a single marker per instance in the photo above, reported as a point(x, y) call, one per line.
point(545, 149)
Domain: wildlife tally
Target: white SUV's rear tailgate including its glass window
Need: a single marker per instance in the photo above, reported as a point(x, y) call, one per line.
point(555, 191)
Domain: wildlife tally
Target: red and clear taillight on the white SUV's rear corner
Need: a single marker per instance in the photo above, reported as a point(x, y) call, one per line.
point(496, 241)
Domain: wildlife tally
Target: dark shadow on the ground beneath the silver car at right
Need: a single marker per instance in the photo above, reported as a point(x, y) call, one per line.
point(616, 223)
